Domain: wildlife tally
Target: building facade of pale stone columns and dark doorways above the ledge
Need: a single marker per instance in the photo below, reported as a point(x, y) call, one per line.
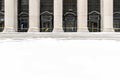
point(59, 15)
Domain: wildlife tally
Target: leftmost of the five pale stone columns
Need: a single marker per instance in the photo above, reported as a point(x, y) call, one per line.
point(10, 15)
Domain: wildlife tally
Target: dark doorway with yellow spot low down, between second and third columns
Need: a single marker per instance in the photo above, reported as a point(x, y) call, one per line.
point(46, 15)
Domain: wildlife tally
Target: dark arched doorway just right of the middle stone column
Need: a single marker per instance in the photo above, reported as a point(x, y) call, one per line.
point(70, 15)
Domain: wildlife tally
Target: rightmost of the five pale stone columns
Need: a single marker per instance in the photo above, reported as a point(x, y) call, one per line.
point(107, 15)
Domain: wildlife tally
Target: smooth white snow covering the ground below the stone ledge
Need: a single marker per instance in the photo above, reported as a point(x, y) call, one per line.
point(51, 59)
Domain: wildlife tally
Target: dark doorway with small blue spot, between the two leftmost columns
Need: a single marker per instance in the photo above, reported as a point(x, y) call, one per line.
point(23, 15)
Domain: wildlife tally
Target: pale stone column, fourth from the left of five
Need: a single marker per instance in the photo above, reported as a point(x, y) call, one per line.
point(82, 15)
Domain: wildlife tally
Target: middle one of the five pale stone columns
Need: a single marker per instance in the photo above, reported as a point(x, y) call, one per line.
point(58, 11)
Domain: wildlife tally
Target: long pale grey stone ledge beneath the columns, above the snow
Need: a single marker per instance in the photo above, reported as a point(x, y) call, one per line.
point(73, 36)
